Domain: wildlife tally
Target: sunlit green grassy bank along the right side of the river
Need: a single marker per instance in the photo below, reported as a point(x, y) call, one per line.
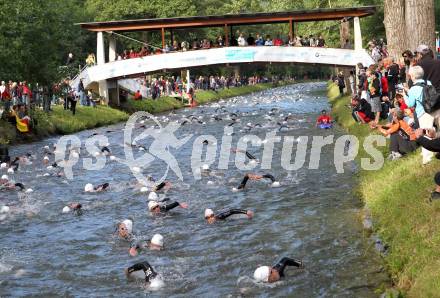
point(397, 197)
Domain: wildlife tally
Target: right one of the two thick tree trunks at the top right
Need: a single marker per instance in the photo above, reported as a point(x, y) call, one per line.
point(420, 23)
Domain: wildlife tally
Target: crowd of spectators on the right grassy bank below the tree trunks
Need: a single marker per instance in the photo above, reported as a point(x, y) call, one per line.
point(396, 93)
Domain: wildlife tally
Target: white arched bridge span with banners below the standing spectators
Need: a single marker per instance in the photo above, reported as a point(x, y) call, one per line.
point(227, 55)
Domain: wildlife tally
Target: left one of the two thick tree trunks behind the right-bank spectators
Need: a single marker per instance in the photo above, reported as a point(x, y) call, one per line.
point(395, 26)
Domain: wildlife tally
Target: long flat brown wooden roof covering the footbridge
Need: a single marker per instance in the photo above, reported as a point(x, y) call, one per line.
point(231, 19)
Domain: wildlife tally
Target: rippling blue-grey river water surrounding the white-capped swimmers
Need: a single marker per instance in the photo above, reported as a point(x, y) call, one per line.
point(313, 216)
